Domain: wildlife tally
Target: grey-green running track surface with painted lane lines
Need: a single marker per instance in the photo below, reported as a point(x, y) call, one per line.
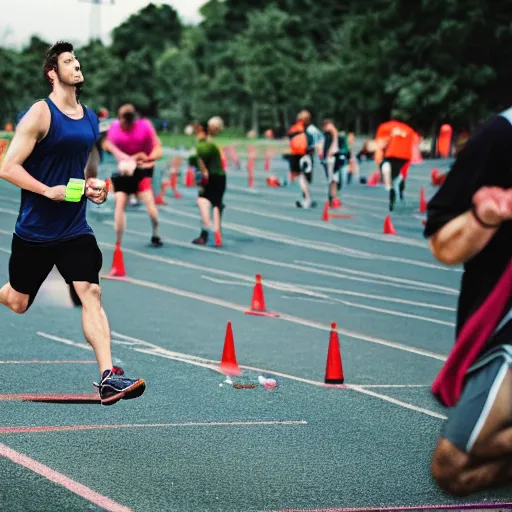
point(195, 443)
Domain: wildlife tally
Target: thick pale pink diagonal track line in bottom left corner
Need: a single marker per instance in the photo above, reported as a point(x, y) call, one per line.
point(60, 479)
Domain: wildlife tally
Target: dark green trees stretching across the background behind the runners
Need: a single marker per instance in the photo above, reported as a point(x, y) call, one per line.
point(257, 63)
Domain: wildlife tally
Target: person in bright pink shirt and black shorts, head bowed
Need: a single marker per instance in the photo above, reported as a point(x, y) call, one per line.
point(135, 145)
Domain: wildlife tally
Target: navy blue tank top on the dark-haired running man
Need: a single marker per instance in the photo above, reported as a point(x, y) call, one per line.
point(61, 155)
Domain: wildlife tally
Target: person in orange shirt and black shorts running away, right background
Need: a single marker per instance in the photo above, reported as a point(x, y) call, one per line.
point(396, 140)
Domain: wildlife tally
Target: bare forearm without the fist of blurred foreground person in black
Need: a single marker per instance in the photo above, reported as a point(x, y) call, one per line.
point(460, 240)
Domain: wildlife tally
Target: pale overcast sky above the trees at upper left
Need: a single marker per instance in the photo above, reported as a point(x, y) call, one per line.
point(70, 19)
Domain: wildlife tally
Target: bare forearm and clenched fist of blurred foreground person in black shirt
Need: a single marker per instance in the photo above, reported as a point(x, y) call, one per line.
point(465, 236)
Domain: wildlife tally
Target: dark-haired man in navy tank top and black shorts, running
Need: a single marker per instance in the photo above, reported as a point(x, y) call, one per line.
point(53, 143)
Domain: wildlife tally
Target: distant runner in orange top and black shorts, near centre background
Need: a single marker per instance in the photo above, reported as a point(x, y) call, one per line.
point(305, 139)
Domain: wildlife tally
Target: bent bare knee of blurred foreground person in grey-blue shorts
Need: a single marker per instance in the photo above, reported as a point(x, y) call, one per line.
point(448, 468)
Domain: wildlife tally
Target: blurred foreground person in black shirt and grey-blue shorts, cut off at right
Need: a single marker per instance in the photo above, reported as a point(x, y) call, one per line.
point(470, 223)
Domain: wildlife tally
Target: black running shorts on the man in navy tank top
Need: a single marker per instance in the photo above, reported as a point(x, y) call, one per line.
point(78, 259)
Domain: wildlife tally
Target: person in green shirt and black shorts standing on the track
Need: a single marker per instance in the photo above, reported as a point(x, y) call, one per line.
point(212, 182)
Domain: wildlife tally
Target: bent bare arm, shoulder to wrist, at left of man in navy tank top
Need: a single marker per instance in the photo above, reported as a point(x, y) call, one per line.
point(31, 129)
